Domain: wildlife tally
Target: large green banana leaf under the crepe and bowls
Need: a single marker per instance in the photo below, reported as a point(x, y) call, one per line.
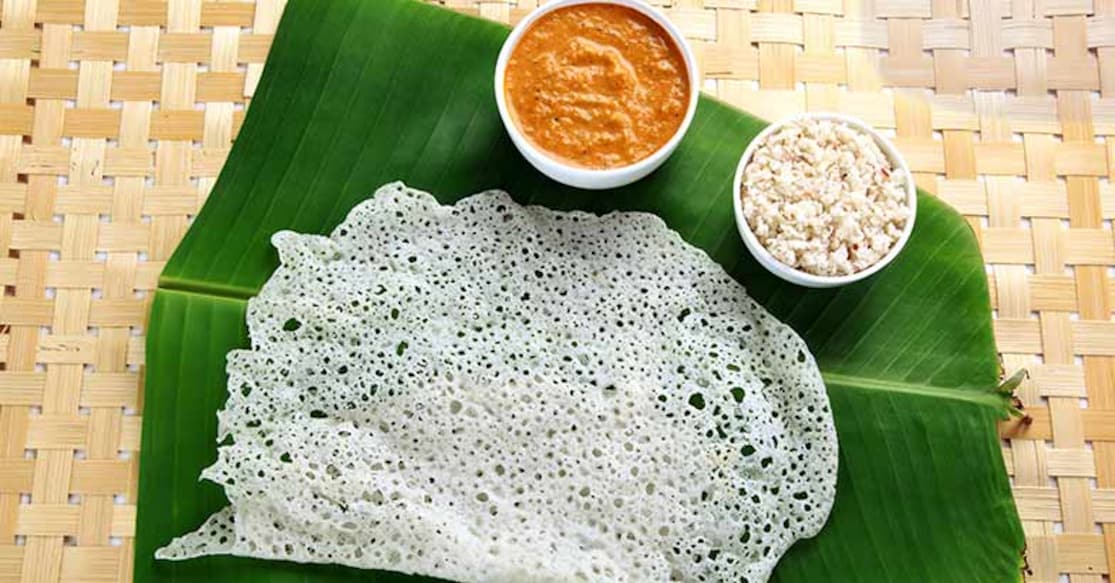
point(358, 93)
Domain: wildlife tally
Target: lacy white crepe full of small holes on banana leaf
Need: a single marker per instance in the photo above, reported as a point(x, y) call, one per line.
point(495, 393)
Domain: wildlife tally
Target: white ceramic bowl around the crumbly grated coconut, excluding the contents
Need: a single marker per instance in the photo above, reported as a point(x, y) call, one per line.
point(796, 276)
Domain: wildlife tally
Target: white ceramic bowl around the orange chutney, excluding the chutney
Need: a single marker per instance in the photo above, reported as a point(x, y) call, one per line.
point(590, 178)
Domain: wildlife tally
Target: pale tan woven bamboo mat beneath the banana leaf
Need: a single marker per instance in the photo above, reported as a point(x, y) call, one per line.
point(117, 115)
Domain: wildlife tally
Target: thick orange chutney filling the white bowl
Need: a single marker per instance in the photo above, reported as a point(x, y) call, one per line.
point(597, 85)
